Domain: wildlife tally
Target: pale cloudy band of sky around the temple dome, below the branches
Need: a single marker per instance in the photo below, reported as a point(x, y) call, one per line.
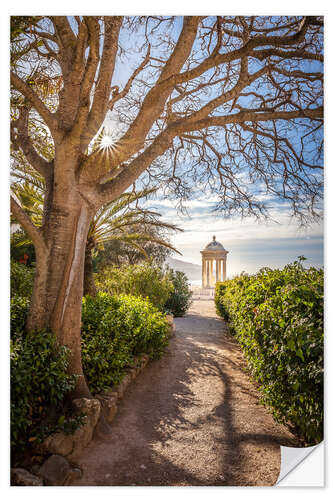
point(251, 245)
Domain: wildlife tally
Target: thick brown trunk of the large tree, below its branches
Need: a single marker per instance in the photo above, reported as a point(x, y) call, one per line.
point(58, 288)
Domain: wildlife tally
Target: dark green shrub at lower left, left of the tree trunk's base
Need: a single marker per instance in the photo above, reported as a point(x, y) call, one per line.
point(39, 383)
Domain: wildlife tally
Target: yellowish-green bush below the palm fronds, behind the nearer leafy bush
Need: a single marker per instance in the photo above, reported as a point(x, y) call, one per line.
point(142, 280)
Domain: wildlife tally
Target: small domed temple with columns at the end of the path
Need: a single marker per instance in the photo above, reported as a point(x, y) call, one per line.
point(212, 257)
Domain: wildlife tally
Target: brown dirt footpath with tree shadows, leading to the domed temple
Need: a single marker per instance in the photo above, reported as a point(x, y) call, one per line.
point(191, 418)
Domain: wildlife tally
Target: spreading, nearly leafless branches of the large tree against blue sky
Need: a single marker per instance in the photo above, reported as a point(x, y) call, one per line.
point(228, 104)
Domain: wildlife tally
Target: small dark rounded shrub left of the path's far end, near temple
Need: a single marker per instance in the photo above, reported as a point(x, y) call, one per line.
point(180, 299)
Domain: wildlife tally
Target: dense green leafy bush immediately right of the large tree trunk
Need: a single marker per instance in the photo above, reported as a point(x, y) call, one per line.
point(114, 330)
